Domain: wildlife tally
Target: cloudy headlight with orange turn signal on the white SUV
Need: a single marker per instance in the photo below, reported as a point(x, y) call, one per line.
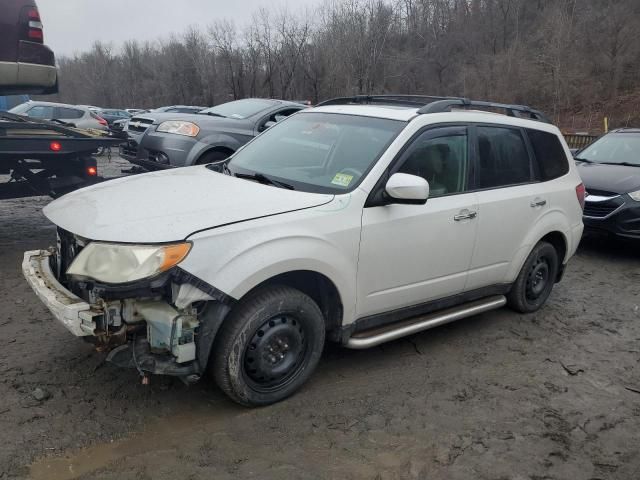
point(116, 263)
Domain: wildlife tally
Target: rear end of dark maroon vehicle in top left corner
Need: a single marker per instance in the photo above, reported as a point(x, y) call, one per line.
point(26, 64)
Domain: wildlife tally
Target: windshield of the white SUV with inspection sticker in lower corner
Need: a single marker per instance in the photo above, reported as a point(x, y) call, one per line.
point(318, 152)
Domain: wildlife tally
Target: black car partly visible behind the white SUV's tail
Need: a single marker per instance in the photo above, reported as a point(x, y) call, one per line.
point(610, 170)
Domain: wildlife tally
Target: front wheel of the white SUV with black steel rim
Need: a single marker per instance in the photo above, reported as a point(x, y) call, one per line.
point(268, 346)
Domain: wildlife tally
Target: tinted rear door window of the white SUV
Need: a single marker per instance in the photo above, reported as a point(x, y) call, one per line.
point(503, 158)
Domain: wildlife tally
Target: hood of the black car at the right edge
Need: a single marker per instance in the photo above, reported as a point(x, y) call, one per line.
point(610, 178)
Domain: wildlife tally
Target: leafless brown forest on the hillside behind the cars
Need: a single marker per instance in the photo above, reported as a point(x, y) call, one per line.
point(576, 59)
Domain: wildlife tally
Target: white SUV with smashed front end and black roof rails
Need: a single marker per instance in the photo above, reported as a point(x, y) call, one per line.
point(362, 220)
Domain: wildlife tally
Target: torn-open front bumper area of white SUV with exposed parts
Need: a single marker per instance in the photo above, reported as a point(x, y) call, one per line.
point(155, 333)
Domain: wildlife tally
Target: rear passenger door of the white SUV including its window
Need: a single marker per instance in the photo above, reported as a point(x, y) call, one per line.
point(510, 198)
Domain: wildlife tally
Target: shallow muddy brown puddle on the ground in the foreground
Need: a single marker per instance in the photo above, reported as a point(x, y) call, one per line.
point(159, 435)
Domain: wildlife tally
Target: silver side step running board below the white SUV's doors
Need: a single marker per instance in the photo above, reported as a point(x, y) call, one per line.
point(374, 337)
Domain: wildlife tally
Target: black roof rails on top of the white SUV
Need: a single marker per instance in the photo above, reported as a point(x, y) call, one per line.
point(436, 104)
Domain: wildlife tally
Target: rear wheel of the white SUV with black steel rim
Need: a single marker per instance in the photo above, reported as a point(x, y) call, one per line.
point(536, 279)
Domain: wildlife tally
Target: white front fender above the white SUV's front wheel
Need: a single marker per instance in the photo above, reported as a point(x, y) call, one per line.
point(237, 258)
